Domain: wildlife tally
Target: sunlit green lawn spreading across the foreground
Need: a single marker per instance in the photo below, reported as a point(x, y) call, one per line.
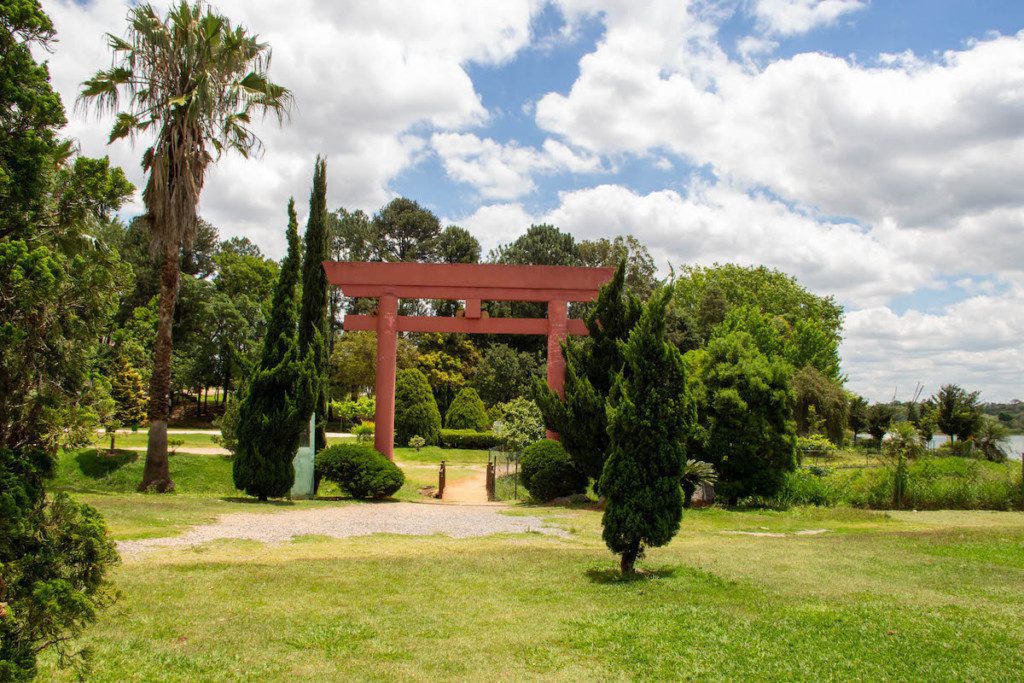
point(878, 596)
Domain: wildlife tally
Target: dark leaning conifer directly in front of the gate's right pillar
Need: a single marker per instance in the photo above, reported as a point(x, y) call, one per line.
point(591, 366)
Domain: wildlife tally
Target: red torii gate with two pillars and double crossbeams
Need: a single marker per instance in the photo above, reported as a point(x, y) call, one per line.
point(557, 285)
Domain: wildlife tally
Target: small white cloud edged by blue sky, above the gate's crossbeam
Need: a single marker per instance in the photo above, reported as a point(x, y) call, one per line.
point(506, 172)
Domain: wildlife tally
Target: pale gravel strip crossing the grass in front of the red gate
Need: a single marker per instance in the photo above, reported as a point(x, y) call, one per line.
point(362, 520)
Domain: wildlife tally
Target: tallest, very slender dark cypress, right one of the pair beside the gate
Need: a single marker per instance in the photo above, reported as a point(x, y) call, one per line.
point(314, 323)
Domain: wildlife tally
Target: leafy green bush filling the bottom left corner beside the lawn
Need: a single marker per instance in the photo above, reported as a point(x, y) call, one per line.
point(55, 557)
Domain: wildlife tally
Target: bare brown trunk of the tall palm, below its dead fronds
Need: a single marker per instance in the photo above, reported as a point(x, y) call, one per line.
point(157, 476)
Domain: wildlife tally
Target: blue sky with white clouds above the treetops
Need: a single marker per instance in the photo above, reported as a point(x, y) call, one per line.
point(873, 149)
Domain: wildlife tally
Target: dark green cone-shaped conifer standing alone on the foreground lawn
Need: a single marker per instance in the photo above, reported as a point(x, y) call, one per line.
point(650, 417)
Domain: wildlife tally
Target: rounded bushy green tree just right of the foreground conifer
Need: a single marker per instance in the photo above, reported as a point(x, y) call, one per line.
point(747, 417)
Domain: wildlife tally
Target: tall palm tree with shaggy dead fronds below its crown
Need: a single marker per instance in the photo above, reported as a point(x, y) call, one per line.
point(193, 81)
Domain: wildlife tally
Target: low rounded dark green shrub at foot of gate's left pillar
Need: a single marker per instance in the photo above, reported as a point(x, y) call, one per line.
point(360, 471)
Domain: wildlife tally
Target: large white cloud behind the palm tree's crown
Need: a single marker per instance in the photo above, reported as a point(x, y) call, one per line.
point(367, 78)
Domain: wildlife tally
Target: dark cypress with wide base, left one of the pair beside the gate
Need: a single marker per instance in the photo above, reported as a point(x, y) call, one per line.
point(272, 416)
